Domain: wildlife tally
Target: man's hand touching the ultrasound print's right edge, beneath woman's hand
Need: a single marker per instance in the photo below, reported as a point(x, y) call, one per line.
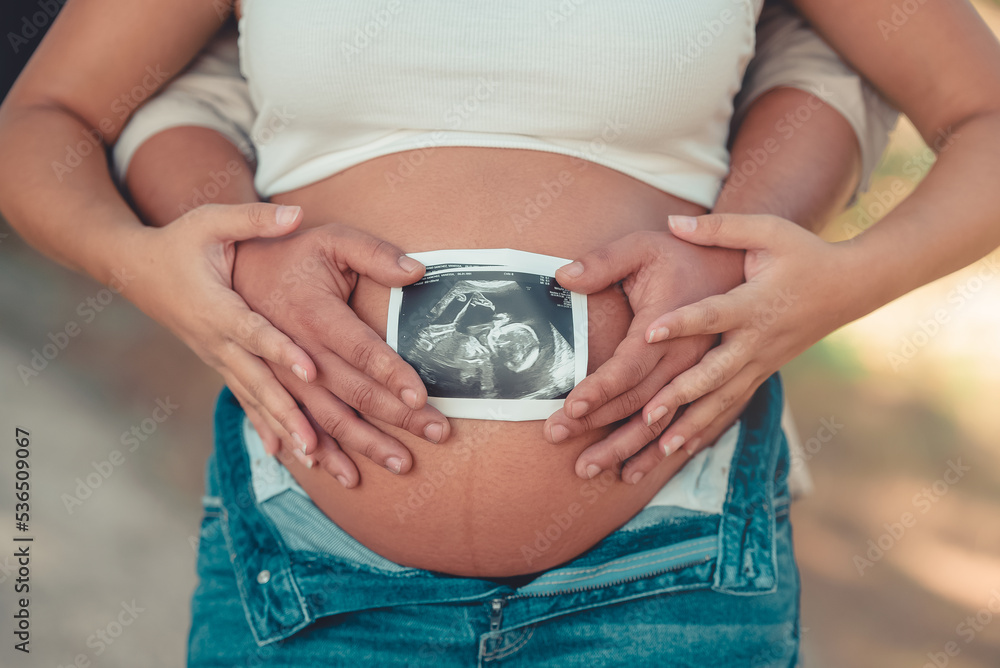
point(659, 271)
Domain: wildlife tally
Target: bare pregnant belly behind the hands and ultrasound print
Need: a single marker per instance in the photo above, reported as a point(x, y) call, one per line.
point(496, 499)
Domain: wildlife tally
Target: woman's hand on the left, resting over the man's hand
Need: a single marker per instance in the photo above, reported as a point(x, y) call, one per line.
point(185, 282)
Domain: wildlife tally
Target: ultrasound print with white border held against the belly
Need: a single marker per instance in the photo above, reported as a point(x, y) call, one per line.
point(493, 337)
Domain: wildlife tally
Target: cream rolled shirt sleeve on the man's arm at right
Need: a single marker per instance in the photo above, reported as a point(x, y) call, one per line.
point(789, 54)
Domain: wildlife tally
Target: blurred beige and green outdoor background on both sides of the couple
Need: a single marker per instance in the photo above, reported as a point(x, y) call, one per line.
point(898, 545)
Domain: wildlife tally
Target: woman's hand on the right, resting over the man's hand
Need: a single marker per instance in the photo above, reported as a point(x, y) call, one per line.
point(798, 289)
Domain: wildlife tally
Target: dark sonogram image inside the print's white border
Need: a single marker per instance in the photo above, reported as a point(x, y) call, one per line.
point(489, 334)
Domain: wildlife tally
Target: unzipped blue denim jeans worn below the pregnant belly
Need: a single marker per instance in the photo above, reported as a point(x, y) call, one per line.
point(671, 588)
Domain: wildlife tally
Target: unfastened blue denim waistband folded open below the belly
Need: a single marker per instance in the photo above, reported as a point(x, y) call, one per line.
point(284, 590)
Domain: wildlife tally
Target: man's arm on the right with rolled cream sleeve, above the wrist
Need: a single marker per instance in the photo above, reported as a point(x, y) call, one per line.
point(802, 105)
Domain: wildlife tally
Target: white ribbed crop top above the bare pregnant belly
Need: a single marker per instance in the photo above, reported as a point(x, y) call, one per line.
point(644, 87)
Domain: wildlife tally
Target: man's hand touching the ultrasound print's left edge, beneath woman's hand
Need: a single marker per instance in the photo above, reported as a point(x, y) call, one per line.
point(302, 283)
